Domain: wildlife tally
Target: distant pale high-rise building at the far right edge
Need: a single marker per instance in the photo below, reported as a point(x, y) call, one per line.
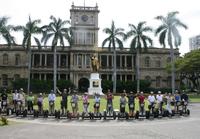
point(194, 42)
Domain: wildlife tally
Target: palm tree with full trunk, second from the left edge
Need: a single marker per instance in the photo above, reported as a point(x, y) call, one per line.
point(31, 28)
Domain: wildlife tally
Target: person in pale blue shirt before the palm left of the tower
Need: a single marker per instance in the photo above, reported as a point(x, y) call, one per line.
point(51, 99)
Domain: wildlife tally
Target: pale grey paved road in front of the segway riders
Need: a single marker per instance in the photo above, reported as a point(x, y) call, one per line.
point(176, 128)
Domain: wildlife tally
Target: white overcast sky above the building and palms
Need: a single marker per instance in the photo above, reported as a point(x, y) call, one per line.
point(121, 11)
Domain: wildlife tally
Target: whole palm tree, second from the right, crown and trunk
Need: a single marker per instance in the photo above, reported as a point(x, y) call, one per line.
point(139, 40)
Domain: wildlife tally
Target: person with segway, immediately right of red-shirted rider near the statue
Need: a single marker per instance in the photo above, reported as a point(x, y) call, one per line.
point(123, 114)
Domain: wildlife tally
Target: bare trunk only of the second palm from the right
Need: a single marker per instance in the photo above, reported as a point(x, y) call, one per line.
point(138, 70)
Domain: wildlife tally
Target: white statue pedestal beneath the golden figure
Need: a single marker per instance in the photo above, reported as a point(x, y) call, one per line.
point(95, 84)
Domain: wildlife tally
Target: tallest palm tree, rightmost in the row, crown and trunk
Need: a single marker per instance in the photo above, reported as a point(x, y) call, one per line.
point(168, 31)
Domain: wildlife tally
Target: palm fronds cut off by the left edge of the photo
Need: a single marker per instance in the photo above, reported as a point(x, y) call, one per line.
point(5, 31)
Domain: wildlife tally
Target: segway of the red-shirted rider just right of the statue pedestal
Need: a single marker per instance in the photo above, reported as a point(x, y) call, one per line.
point(109, 113)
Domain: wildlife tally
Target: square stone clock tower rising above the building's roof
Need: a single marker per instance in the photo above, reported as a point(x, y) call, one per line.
point(84, 23)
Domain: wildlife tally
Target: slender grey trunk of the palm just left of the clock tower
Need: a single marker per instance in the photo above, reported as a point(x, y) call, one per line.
point(54, 70)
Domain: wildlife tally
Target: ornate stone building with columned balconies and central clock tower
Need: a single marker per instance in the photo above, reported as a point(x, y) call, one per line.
point(73, 63)
